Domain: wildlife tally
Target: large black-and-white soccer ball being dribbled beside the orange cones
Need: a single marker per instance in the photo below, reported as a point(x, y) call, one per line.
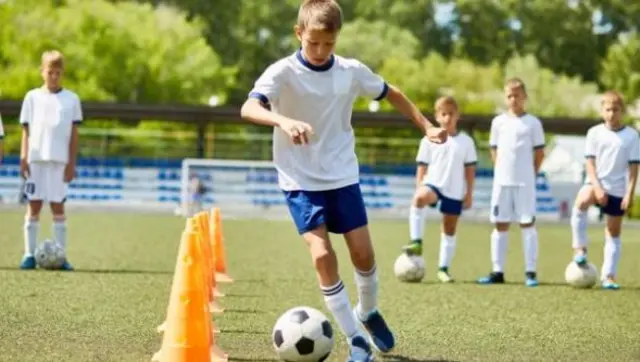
point(303, 334)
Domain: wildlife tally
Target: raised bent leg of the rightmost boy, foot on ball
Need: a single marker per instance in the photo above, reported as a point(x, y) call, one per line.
point(579, 223)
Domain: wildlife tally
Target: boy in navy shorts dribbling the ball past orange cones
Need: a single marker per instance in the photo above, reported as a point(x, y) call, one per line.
point(308, 98)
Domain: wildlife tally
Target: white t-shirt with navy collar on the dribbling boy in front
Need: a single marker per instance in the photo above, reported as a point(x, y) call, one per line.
point(323, 97)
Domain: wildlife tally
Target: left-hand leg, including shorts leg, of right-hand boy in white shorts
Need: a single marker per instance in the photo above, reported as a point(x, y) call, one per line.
point(502, 199)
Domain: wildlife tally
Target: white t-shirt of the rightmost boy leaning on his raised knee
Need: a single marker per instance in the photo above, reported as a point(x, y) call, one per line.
point(613, 151)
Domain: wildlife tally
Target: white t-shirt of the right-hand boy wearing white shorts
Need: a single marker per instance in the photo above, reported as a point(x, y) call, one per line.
point(515, 139)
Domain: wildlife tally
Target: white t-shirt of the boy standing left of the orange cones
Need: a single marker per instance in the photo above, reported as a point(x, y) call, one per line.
point(50, 118)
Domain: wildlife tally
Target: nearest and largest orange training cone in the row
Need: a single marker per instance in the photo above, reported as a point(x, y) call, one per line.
point(187, 337)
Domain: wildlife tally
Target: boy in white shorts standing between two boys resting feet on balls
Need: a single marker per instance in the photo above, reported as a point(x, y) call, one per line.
point(517, 150)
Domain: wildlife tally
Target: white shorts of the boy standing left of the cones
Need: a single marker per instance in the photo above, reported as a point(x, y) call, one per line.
point(46, 182)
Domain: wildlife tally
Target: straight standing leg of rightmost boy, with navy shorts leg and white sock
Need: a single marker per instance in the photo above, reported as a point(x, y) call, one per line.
point(613, 244)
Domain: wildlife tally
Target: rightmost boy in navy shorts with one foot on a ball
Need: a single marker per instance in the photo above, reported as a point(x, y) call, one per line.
point(612, 153)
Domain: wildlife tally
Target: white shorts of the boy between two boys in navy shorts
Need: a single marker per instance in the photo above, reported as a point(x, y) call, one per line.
point(513, 204)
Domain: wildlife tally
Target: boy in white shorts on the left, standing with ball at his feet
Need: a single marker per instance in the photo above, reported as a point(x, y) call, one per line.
point(50, 116)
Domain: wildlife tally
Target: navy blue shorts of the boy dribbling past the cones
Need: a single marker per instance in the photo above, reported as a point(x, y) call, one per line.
point(341, 210)
